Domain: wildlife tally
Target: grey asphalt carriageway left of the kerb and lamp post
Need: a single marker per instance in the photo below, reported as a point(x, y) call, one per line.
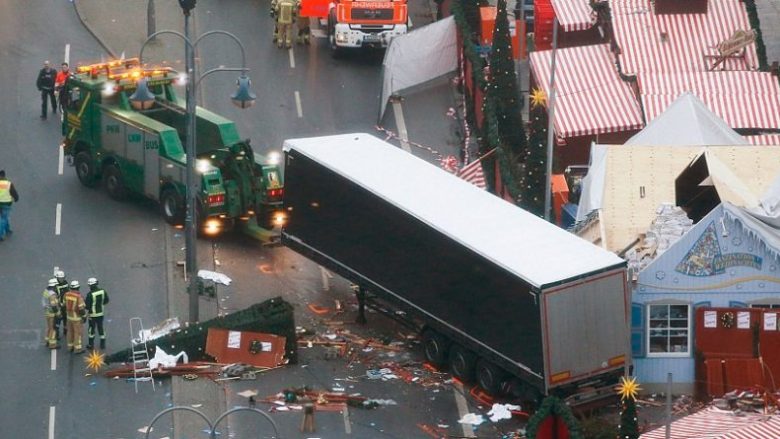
point(39, 387)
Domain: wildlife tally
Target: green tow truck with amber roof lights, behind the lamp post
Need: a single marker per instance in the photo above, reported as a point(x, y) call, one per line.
point(139, 151)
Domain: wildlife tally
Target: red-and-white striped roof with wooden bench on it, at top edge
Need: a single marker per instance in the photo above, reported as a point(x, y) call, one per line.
point(652, 42)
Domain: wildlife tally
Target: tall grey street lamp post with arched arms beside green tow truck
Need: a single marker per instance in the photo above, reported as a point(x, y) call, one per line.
point(242, 98)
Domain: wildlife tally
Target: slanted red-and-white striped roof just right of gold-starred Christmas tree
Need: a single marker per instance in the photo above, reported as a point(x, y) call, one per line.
point(590, 96)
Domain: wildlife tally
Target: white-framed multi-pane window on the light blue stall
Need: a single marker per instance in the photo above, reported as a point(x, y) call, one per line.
point(669, 330)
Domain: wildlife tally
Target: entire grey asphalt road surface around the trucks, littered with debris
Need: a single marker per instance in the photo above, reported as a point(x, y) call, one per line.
point(303, 92)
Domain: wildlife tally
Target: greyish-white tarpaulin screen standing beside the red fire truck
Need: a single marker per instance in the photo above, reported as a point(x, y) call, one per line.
point(422, 55)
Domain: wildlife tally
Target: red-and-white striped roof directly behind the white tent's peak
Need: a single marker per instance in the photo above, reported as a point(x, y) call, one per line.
point(747, 100)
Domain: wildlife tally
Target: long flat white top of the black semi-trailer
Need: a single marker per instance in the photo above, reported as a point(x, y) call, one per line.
point(531, 248)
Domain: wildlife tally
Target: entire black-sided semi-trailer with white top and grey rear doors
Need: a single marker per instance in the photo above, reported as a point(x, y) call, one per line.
point(501, 297)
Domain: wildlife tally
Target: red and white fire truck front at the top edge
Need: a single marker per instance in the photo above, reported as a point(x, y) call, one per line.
point(365, 23)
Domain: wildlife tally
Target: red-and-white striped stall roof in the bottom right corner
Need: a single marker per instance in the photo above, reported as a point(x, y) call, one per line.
point(712, 423)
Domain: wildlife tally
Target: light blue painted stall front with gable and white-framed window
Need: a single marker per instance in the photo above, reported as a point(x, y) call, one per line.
point(720, 262)
